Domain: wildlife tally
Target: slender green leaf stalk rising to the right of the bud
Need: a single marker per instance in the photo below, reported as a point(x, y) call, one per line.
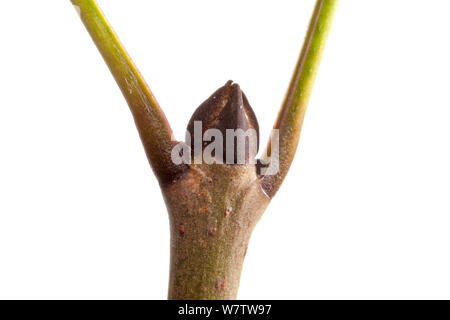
point(292, 112)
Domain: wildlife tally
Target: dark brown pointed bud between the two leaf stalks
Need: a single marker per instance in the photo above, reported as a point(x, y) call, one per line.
point(227, 108)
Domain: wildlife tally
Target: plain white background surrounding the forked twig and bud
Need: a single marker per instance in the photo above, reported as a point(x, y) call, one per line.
point(363, 213)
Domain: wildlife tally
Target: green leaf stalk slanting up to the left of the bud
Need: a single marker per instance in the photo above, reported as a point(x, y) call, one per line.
point(150, 120)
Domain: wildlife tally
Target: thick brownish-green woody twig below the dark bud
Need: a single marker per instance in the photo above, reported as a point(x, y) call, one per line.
point(213, 210)
